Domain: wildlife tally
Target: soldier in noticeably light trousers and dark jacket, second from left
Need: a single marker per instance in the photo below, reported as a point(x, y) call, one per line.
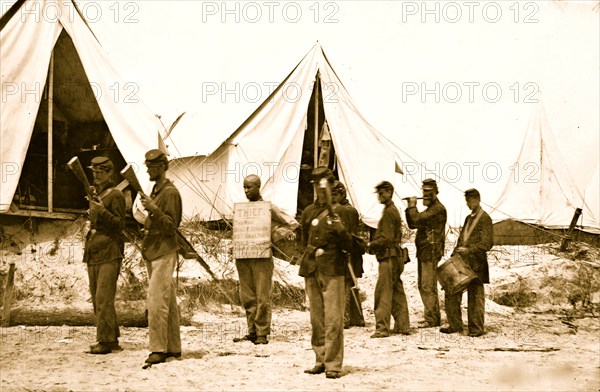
point(159, 249)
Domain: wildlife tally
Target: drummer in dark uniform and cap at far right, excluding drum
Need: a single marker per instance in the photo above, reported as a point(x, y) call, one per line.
point(476, 238)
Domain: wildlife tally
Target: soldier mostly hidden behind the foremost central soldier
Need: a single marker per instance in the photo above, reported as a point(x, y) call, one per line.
point(349, 215)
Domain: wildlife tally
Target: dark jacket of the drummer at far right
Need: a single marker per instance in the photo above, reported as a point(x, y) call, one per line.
point(479, 242)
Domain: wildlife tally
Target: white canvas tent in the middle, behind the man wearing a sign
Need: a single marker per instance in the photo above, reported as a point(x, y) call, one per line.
point(274, 139)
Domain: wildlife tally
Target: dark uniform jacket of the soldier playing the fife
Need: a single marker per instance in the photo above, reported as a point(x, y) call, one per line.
point(431, 226)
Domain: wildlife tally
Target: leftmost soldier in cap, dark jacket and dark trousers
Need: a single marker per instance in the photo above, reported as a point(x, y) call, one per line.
point(104, 253)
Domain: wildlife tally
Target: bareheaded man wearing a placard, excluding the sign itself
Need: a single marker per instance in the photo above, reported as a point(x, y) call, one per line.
point(256, 273)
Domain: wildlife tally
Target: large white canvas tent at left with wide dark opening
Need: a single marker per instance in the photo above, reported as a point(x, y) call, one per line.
point(49, 54)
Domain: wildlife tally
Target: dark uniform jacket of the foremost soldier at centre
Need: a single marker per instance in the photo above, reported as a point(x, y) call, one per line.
point(322, 236)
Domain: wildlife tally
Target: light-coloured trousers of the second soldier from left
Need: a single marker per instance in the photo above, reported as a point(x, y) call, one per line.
point(163, 313)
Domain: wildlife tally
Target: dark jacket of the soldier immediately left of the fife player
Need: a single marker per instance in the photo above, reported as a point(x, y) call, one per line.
point(386, 242)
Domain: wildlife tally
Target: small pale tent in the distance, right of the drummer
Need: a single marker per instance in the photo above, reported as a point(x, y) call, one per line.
point(540, 191)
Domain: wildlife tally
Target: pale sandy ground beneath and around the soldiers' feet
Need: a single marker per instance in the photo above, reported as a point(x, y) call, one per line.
point(534, 350)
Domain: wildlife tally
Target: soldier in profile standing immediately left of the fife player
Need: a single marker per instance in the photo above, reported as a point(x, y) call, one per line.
point(390, 299)
